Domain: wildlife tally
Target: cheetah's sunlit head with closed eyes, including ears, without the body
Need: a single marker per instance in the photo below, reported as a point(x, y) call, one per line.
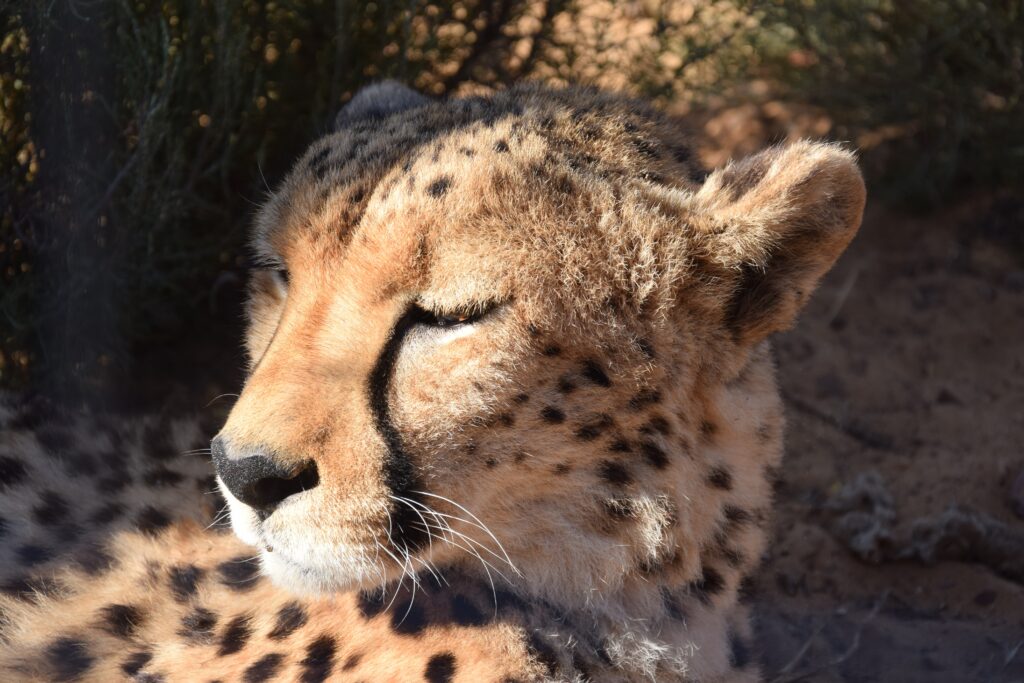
point(487, 333)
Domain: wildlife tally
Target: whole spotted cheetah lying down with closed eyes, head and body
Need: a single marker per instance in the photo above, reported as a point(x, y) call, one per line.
point(510, 415)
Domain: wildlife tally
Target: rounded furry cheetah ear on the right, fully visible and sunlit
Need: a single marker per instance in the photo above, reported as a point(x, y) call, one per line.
point(779, 220)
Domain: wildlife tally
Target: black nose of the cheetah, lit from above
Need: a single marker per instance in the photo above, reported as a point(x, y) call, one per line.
point(259, 481)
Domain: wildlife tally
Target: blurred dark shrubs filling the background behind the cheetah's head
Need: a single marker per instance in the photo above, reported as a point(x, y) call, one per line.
point(138, 137)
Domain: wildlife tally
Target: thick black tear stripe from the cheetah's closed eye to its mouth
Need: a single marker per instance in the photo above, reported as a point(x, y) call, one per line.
point(400, 477)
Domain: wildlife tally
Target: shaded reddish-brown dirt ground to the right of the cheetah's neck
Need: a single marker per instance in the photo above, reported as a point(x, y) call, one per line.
point(899, 551)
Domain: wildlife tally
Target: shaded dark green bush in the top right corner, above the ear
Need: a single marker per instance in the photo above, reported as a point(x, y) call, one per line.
point(931, 92)
